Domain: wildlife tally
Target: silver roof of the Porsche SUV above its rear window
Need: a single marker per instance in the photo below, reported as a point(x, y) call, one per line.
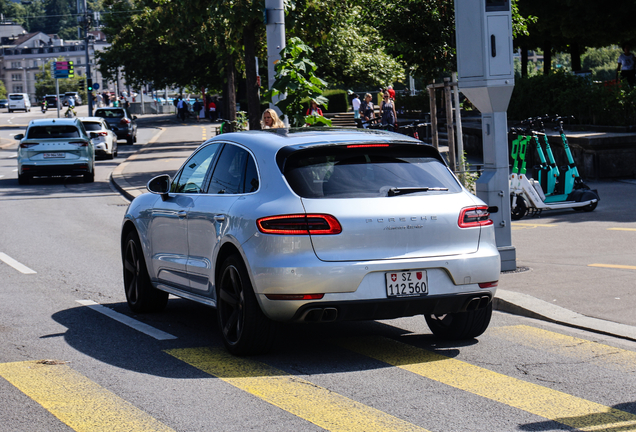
point(275, 139)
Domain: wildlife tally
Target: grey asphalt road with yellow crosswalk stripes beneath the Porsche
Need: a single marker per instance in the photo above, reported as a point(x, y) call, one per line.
point(72, 356)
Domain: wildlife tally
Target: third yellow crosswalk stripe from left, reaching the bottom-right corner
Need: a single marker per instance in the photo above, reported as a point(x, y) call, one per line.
point(535, 399)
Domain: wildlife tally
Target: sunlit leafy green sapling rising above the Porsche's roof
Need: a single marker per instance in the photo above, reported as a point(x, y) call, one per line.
point(296, 80)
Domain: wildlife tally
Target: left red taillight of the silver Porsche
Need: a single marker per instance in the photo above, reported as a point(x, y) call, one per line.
point(299, 224)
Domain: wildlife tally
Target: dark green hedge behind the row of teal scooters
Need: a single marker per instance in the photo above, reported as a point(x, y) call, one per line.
point(569, 95)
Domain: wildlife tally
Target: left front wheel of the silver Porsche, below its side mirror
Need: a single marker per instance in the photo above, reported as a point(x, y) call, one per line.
point(141, 296)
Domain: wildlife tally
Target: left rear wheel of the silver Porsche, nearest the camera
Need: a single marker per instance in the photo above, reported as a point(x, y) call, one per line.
point(244, 327)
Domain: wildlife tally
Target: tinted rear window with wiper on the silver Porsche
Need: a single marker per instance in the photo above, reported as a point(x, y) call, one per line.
point(360, 170)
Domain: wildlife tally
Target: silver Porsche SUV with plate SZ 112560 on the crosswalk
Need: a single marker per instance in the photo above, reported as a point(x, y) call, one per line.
point(313, 226)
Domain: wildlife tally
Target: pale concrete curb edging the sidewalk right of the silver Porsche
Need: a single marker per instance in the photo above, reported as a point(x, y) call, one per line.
point(528, 306)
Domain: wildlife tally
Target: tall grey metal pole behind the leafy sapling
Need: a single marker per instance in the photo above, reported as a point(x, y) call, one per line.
point(275, 16)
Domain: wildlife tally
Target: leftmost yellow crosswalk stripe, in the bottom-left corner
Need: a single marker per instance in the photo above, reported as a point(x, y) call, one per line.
point(78, 402)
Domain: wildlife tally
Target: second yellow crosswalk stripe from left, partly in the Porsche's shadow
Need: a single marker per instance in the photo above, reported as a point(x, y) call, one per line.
point(293, 394)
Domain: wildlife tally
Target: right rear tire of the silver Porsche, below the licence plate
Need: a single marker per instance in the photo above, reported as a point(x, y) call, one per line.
point(460, 325)
